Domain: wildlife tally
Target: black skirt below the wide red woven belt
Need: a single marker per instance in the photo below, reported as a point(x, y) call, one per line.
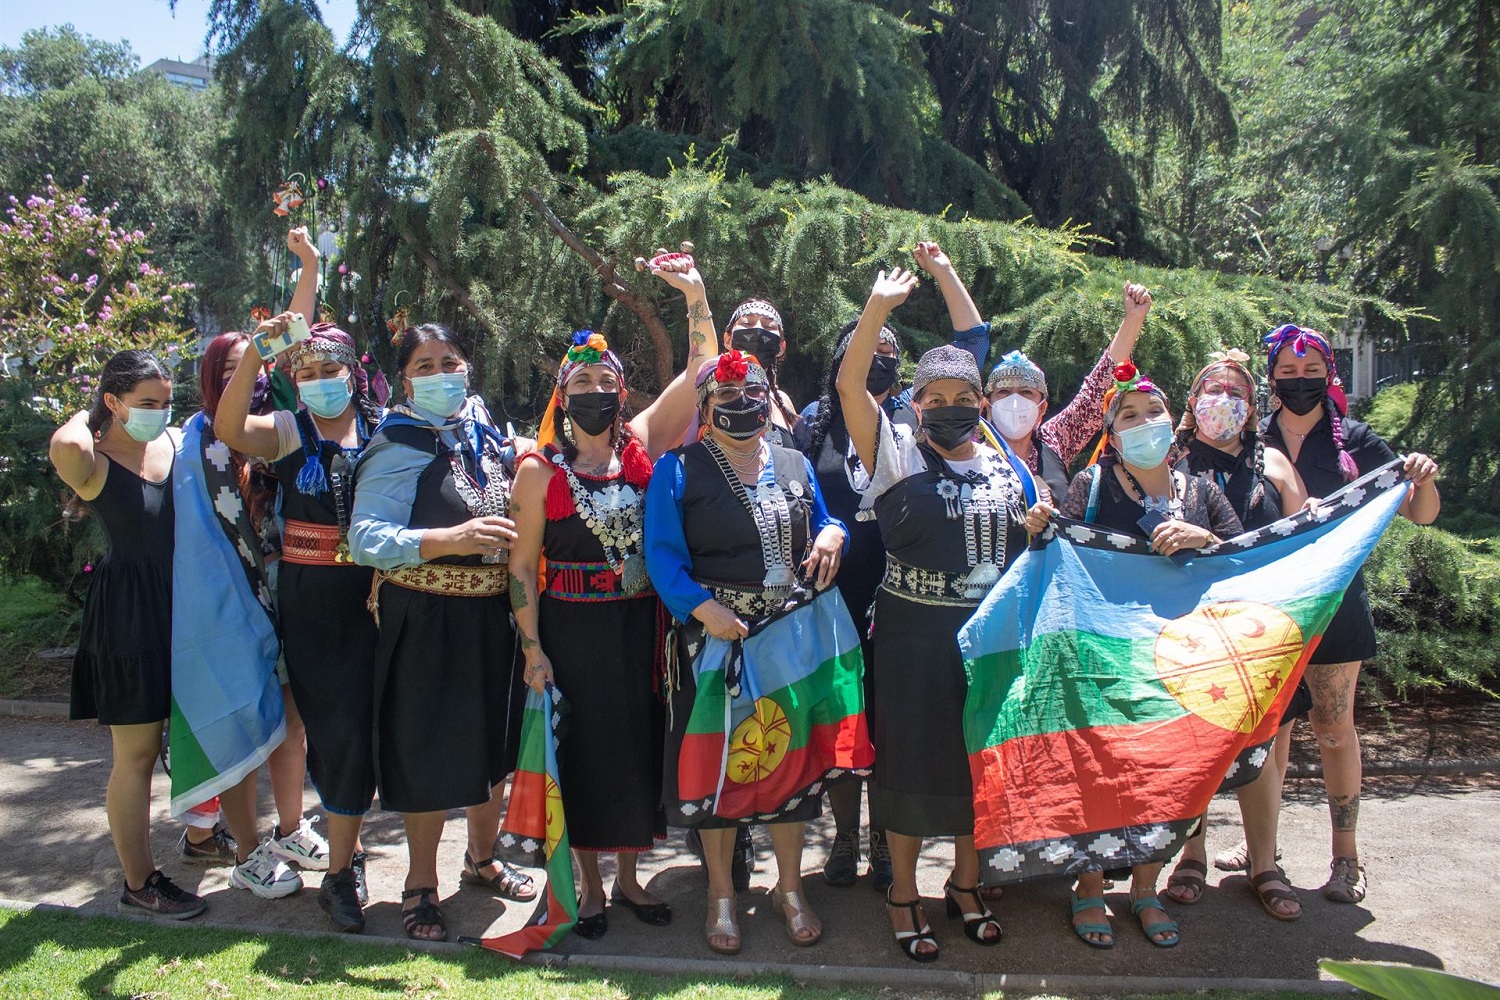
point(329, 642)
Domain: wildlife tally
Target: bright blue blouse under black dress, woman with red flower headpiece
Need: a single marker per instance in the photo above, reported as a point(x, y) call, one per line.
point(668, 560)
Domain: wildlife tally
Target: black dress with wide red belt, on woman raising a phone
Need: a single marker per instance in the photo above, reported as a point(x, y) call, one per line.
point(328, 633)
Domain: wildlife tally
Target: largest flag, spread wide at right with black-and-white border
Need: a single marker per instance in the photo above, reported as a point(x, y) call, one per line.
point(1111, 690)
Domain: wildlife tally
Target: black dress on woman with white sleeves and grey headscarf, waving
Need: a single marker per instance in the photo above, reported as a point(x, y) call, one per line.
point(922, 783)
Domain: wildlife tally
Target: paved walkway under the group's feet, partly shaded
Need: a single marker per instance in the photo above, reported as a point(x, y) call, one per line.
point(1429, 845)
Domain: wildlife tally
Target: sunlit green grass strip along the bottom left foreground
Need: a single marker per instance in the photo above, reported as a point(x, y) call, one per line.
point(53, 956)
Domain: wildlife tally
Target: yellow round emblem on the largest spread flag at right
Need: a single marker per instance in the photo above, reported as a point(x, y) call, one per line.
point(1228, 662)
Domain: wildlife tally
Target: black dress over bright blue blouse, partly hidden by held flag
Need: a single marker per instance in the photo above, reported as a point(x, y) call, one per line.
point(725, 545)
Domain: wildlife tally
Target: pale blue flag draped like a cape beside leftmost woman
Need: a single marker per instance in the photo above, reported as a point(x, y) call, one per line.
point(227, 713)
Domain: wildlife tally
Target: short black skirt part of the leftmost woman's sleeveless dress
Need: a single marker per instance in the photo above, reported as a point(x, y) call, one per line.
point(122, 671)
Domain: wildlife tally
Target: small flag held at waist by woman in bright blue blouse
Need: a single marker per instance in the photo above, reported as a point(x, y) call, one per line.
point(776, 717)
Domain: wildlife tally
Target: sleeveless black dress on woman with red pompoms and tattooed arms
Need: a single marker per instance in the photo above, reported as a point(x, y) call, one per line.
point(604, 651)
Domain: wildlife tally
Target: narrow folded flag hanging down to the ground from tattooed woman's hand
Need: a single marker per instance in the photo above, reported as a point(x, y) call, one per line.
point(536, 831)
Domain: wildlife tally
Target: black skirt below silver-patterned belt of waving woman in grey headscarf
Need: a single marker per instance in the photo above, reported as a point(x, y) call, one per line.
point(922, 785)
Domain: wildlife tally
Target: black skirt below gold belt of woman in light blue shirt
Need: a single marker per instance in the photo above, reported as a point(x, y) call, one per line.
point(445, 675)
